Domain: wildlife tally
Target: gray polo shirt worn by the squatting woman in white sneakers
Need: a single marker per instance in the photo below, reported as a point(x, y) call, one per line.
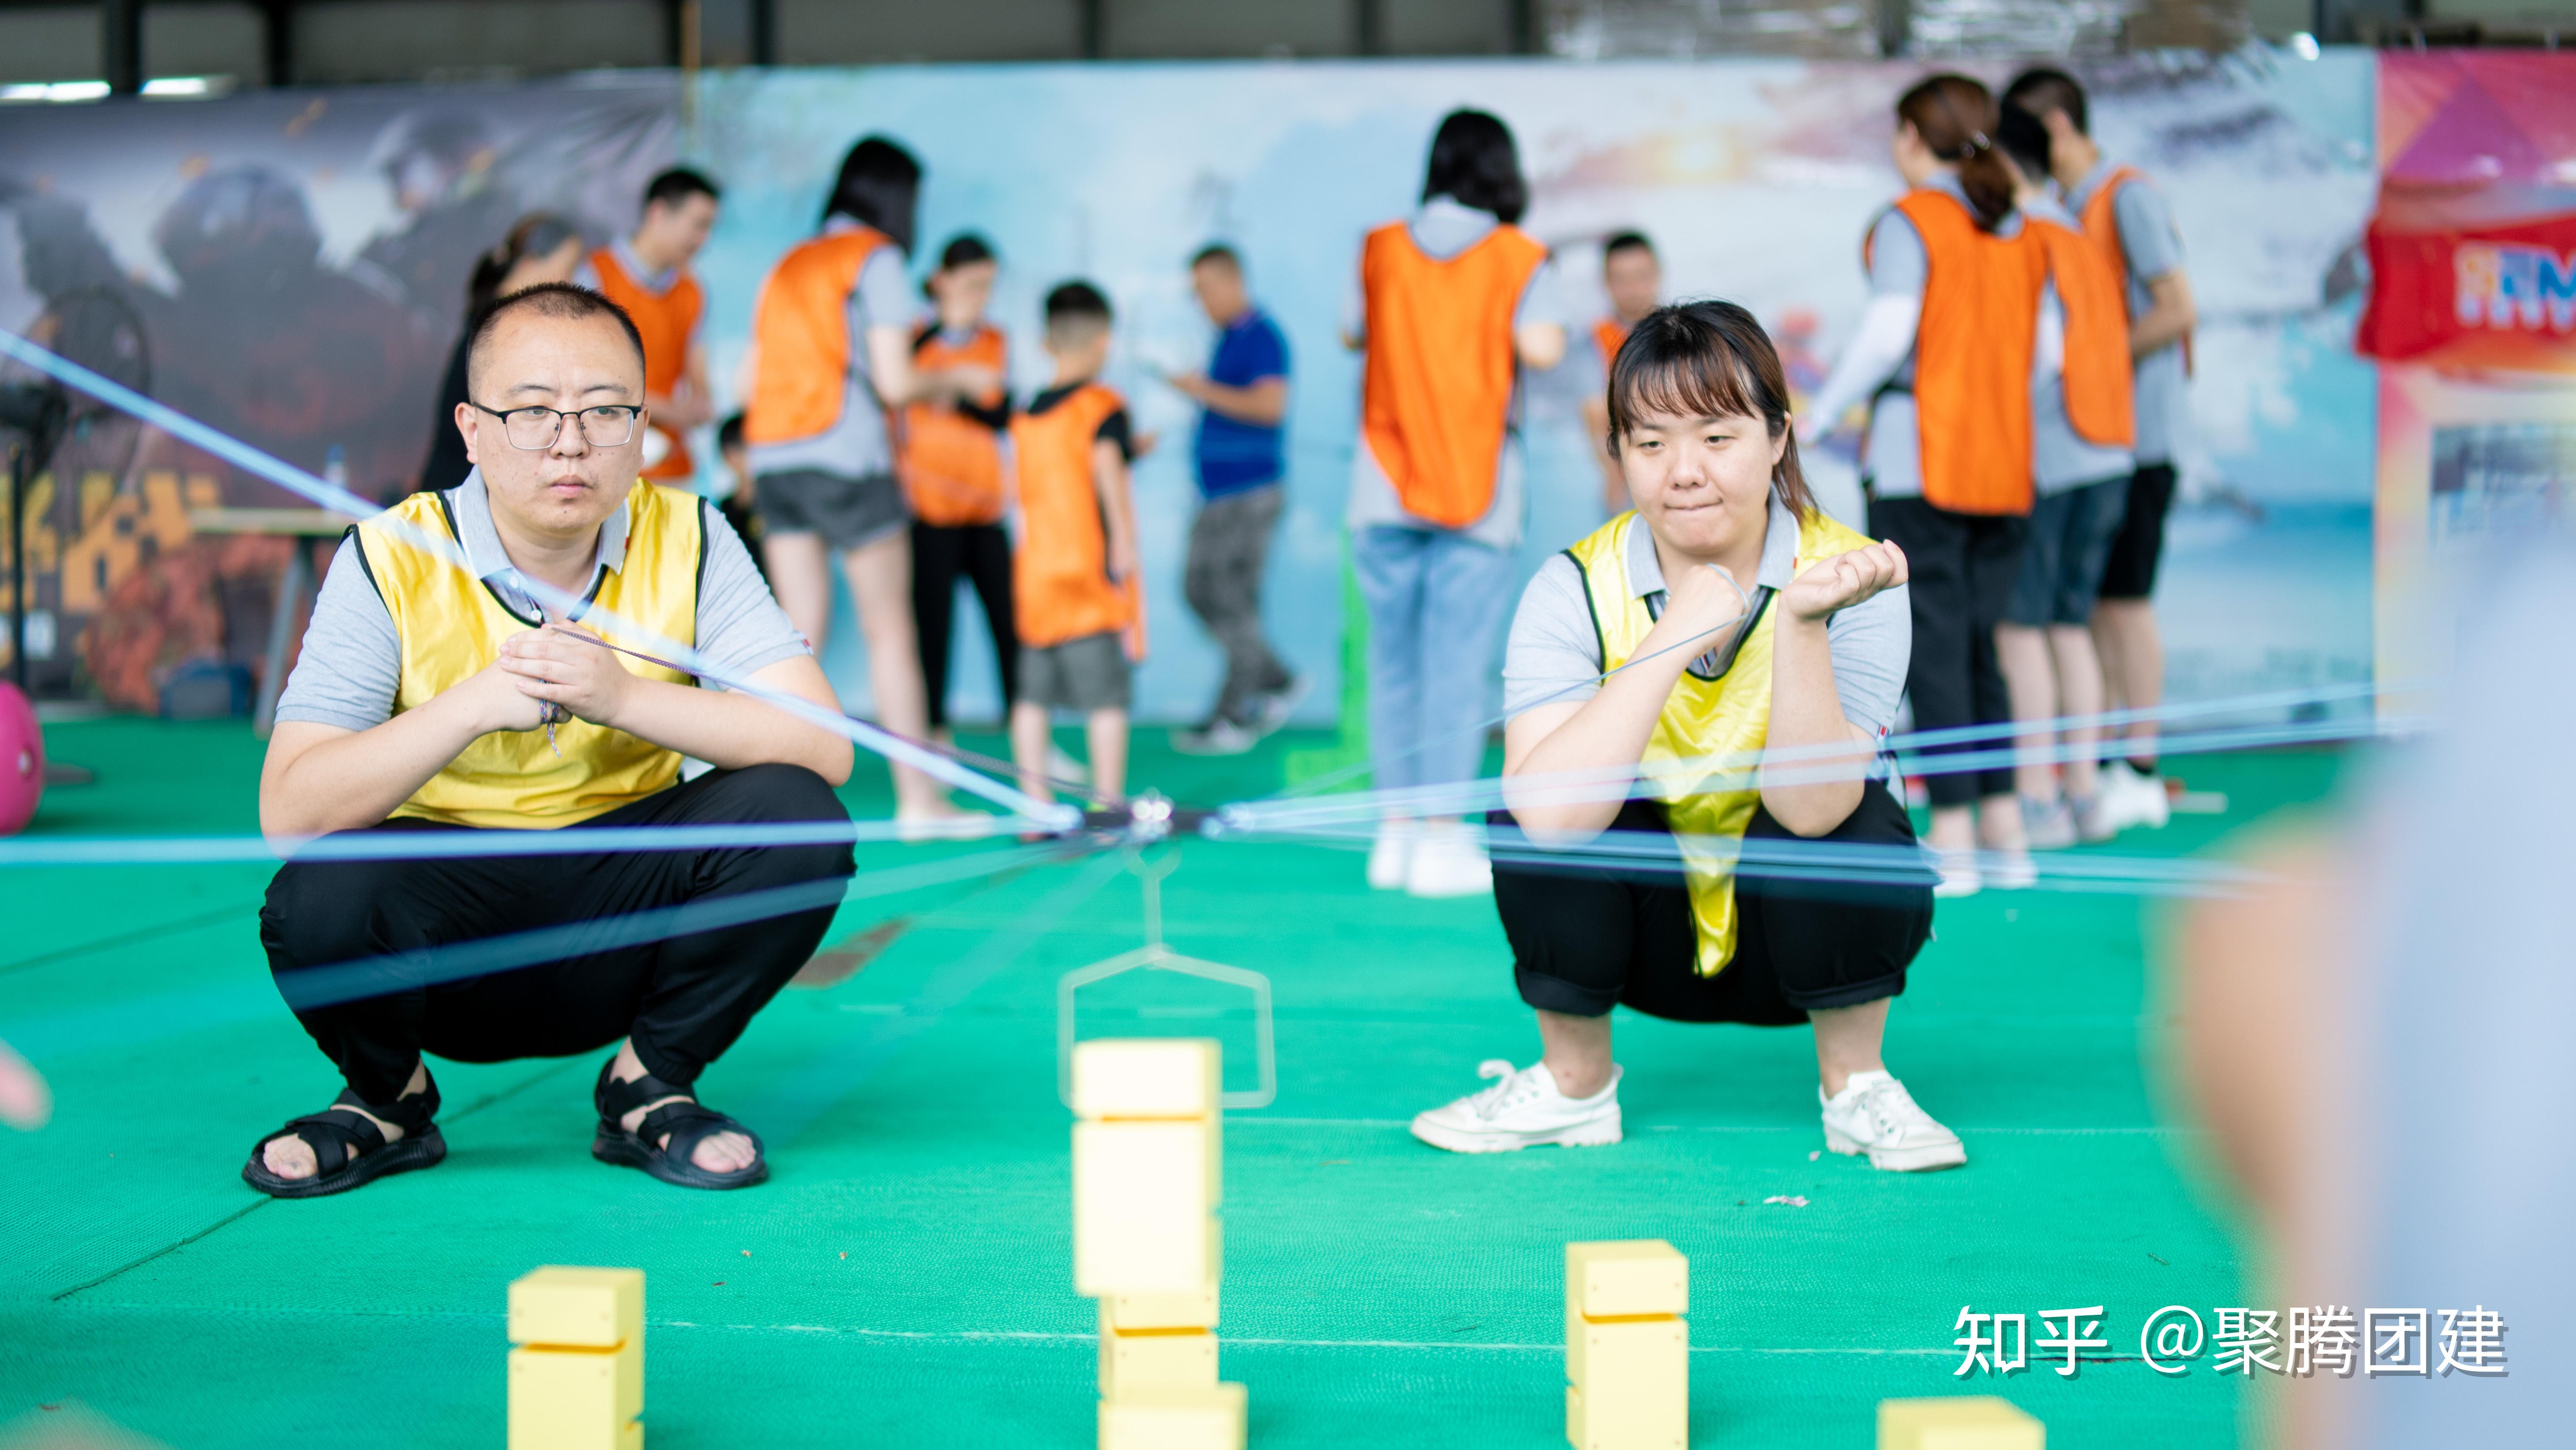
point(1557, 653)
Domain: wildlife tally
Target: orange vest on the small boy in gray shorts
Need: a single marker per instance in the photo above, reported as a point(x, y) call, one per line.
point(1063, 573)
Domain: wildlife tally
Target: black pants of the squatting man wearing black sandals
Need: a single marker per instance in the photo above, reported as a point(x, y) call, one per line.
point(684, 1001)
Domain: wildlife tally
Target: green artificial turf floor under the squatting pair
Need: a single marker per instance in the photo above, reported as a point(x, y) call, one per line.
point(905, 1274)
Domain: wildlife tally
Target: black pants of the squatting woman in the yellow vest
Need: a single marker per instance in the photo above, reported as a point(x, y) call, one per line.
point(1588, 936)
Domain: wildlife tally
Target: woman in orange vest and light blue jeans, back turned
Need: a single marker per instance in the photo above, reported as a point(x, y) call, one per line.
point(1454, 303)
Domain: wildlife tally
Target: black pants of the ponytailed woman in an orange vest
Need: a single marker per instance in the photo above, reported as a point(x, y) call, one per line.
point(1959, 573)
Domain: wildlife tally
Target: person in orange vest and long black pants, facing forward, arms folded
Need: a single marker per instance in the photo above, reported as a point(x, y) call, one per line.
point(949, 455)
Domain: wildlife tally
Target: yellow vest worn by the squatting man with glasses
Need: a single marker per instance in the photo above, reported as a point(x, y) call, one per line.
point(452, 625)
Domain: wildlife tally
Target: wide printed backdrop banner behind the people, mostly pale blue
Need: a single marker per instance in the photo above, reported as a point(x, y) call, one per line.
point(292, 267)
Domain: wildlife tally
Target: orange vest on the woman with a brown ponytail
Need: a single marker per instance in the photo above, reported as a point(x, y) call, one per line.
point(1972, 357)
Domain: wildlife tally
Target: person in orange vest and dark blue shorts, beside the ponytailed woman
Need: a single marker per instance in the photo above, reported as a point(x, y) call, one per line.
point(2083, 434)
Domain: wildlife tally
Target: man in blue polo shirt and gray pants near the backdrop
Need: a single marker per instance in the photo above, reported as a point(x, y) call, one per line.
point(1240, 465)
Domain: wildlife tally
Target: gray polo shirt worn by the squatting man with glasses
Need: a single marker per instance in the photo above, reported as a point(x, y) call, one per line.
point(352, 661)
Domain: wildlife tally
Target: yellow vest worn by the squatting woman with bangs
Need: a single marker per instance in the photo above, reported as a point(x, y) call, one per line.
point(1725, 717)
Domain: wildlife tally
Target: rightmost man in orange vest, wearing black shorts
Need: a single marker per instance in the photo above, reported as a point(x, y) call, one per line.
point(2134, 225)
